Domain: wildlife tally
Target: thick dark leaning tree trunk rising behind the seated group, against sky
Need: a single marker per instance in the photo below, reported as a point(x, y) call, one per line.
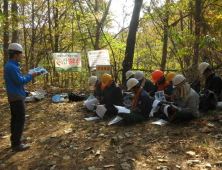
point(131, 40)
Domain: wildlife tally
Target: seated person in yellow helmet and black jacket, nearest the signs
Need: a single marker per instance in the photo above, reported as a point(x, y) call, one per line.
point(112, 96)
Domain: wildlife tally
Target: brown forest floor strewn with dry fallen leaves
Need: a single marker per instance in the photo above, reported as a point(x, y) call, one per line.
point(61, 139)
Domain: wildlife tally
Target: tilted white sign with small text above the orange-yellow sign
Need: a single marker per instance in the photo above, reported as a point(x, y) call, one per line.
point(100, 57)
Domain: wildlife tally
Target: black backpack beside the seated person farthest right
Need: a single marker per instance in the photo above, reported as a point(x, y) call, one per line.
point(208, 101)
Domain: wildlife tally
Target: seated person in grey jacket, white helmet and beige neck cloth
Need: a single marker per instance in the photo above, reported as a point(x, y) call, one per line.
point(187, 100)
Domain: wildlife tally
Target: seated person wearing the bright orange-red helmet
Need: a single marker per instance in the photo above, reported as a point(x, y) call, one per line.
point(161, 84)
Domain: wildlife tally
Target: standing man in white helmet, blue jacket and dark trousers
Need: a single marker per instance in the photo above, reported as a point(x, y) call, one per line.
point(16, 95)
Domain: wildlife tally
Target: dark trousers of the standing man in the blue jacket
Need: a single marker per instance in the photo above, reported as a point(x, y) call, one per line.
point(17, 121)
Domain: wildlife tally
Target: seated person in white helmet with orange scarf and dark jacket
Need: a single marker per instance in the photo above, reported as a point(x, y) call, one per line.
point(142, 104)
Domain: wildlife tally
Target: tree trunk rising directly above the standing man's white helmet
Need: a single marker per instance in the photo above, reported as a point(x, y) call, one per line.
point(14, 9)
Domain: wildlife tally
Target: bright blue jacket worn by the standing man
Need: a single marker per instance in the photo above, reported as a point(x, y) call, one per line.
point(15, 82)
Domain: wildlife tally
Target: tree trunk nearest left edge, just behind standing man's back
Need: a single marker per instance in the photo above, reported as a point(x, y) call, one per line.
point(6, 33)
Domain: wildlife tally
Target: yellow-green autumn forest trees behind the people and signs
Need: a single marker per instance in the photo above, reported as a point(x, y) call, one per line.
point(171, 35)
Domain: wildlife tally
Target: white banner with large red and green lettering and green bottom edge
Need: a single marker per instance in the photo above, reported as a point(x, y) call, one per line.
point(70, 62)
